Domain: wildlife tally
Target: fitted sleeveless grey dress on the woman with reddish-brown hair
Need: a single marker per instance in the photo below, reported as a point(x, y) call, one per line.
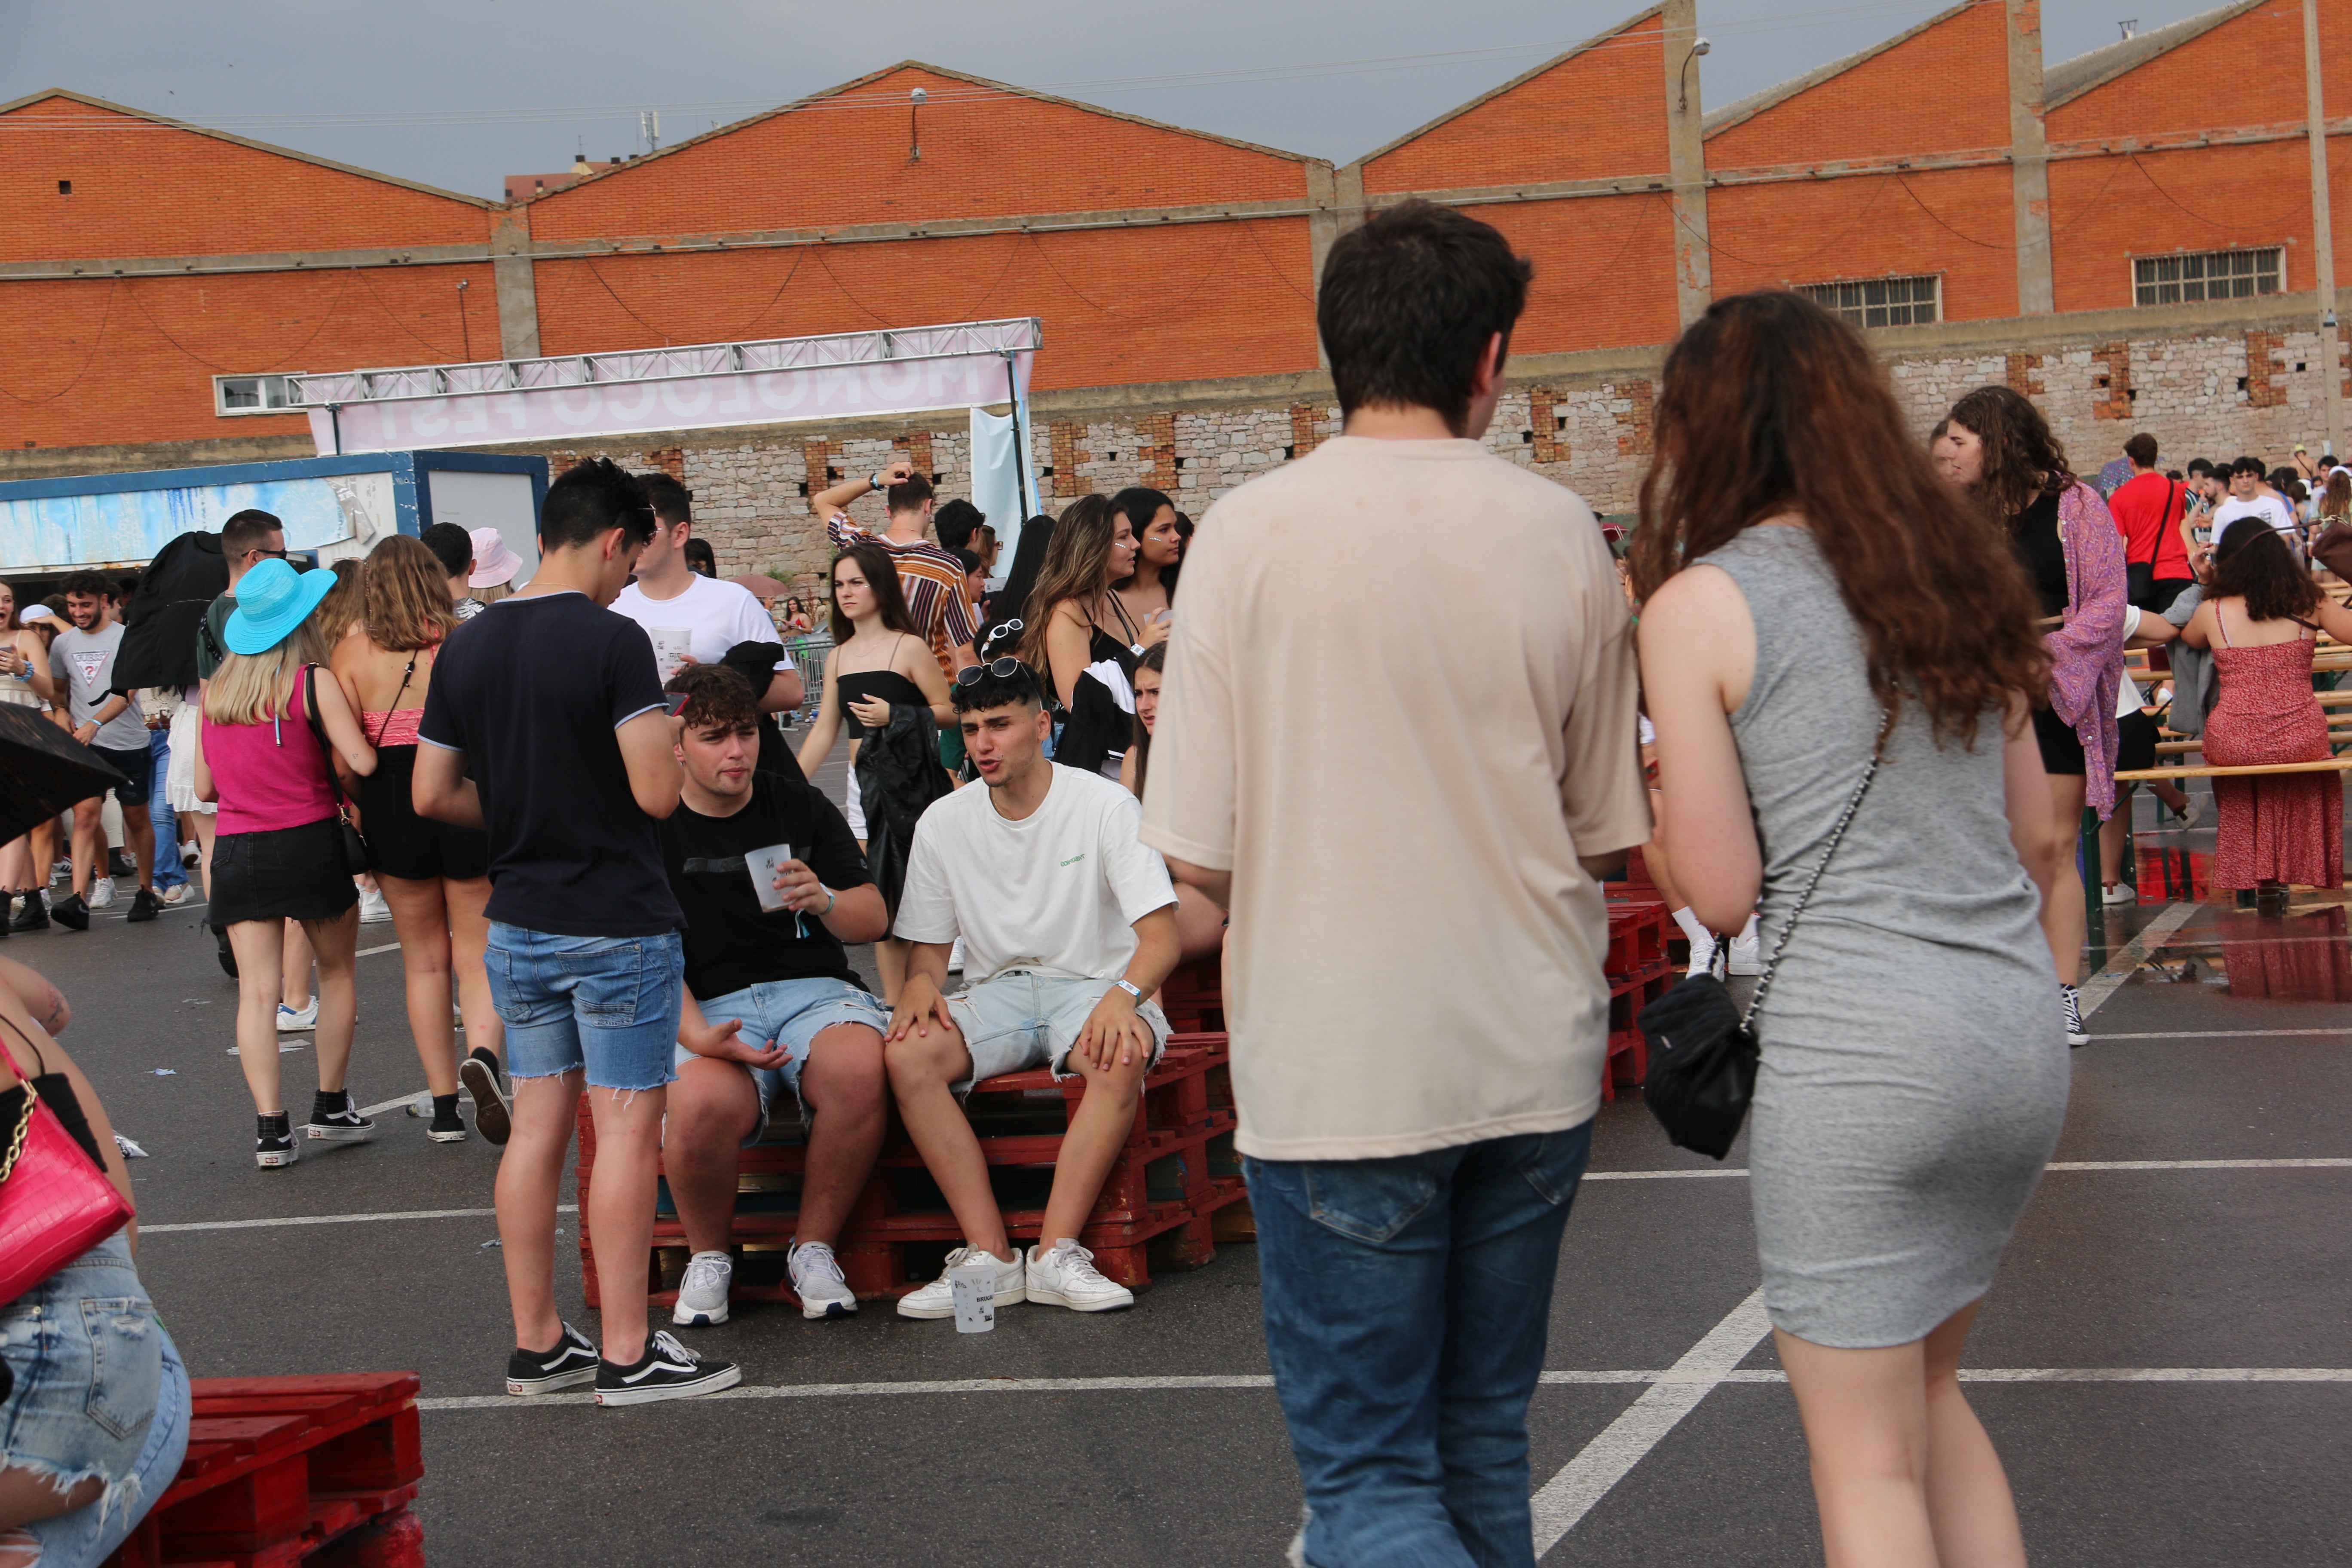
point(1916, 1064)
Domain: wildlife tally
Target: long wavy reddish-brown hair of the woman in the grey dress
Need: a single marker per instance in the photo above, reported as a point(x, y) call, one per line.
point(1775, 408)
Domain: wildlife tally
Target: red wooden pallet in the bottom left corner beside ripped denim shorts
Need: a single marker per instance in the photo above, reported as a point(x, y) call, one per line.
point(293, 1470)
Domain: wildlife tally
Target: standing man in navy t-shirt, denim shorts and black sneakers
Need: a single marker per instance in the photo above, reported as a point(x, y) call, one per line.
point(547, 728)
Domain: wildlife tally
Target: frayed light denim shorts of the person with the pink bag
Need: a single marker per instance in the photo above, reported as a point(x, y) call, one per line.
point(98, 1393)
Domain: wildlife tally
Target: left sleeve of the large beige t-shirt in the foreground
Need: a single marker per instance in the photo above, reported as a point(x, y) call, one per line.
point(1189, 793)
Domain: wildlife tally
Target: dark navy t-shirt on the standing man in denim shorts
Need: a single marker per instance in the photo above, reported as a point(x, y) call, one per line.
point(533, 692)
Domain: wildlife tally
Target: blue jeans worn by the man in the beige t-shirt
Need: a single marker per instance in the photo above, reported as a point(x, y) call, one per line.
point(1405, 1315)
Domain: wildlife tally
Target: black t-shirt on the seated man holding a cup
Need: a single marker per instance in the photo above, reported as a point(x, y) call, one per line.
point(730, 939)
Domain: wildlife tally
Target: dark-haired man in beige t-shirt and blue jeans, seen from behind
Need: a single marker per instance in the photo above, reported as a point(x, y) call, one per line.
point(1405, 786)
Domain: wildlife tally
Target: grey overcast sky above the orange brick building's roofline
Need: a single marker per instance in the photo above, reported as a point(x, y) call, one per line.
point(462, 93)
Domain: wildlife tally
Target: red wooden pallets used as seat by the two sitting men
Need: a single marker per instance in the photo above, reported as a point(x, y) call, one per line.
point(1158, 1202)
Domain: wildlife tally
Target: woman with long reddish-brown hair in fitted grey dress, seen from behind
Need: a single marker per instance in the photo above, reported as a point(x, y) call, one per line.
point(1815, 594)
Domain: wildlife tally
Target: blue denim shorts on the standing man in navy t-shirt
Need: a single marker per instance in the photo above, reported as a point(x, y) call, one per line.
point(599, 1003)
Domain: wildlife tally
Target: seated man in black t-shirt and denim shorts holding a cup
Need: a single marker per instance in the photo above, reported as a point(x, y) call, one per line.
point(773, 885)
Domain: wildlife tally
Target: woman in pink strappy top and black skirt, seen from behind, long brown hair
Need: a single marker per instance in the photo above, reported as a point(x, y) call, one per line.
point(432, 873)
